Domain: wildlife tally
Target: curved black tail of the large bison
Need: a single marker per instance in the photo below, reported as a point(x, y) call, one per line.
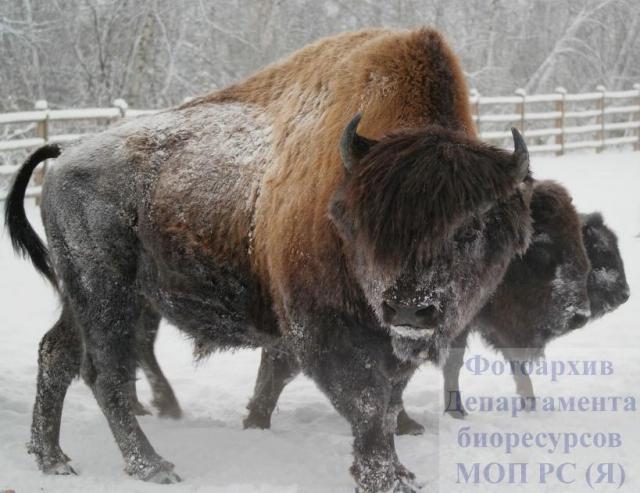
point(24, 239)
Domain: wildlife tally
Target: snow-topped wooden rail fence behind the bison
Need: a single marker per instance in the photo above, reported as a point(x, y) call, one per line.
point(555, 122)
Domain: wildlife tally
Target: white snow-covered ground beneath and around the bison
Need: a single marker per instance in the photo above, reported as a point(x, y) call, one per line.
point(308, 448)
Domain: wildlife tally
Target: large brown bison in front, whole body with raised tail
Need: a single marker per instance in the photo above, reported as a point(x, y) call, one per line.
point(258, 216)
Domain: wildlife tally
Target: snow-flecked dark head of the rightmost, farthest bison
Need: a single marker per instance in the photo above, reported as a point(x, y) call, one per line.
point(607, 284)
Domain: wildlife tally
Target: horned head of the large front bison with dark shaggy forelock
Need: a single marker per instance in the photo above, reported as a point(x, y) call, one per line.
point(431, 219)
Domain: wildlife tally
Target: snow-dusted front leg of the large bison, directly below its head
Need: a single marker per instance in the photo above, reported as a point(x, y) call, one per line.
point(359, 383)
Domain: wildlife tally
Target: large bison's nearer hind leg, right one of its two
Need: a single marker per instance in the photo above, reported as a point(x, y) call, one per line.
point(106, 308)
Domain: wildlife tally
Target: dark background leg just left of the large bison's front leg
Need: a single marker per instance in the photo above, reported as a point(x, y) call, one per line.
point(277, 368)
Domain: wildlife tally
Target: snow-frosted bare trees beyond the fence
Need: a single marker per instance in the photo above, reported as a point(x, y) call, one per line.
point(156, 52)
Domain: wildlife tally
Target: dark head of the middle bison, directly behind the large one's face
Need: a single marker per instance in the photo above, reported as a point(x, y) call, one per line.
point(544, 292)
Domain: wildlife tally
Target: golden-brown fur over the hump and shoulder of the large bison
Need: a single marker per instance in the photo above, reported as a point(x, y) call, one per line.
point(396, 79)
